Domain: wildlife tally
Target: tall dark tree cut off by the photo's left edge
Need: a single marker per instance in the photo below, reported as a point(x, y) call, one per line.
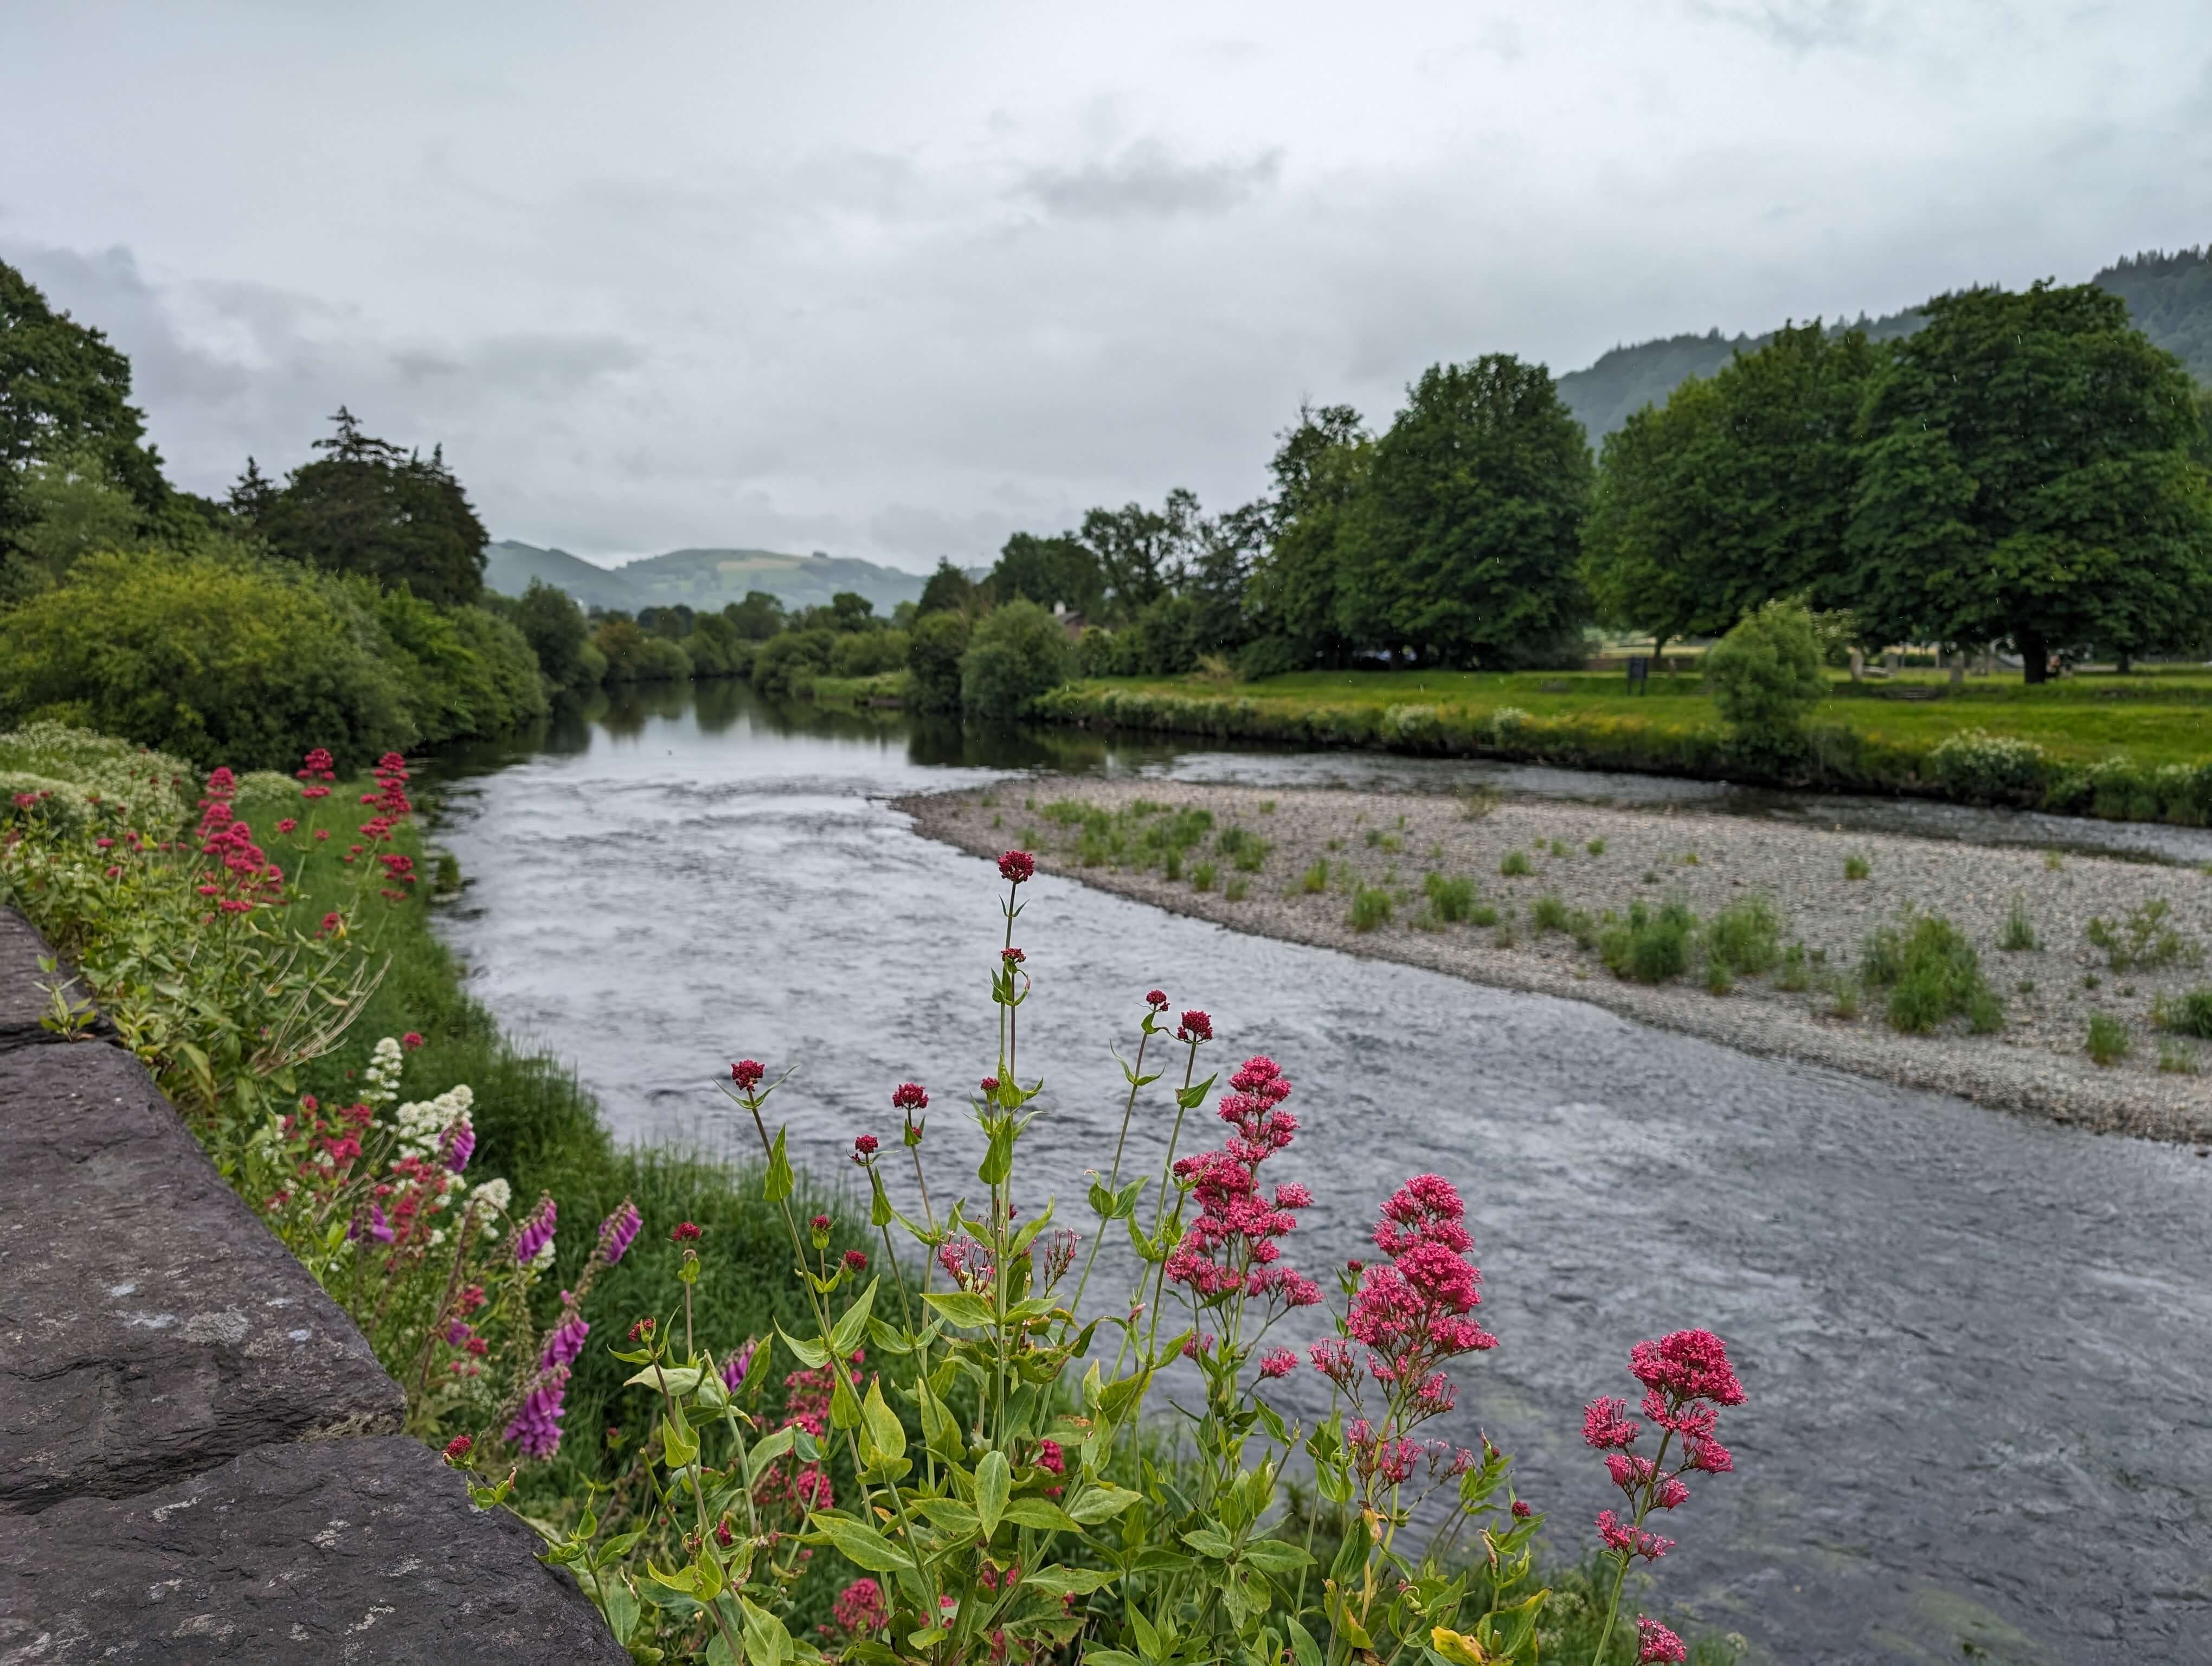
point(65, 399)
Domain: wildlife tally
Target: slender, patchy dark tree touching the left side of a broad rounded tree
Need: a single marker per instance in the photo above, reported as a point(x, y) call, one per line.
point(1319, 470)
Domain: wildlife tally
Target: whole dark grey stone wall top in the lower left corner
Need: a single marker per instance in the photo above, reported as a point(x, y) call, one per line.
point(200, 1457)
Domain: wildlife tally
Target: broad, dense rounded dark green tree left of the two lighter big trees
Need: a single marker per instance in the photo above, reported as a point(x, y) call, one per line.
point(1465, 539)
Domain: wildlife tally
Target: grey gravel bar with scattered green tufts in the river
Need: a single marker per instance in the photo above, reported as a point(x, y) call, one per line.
point(1541, 930)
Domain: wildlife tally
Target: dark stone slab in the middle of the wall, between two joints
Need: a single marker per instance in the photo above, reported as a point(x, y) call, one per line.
point(149, 1324)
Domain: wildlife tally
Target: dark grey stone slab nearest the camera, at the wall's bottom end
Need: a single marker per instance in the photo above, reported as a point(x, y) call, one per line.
point(326, 1552)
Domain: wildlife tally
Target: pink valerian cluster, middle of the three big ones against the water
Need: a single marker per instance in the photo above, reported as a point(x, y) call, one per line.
point(1412, 1313)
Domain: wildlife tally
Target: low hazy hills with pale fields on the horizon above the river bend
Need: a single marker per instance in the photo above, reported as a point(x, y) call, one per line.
point(702, 579)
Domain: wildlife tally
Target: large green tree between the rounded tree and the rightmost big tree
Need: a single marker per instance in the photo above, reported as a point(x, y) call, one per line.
point(1735, 492)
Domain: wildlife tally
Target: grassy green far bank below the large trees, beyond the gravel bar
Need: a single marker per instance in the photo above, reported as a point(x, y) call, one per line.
point(2098, 745)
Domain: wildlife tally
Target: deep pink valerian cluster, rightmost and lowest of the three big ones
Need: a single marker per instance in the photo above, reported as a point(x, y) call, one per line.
point(1687, 1382)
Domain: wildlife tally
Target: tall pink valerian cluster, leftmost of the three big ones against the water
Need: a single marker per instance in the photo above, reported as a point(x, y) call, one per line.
point(1231, 1249)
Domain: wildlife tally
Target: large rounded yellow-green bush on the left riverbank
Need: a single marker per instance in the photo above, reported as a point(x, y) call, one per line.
point(216, 656)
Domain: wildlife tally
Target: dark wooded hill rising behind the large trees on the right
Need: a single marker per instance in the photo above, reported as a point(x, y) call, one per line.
point(2169, 298)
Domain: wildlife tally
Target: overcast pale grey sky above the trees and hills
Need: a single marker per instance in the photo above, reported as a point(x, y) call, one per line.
point(899, 280)
